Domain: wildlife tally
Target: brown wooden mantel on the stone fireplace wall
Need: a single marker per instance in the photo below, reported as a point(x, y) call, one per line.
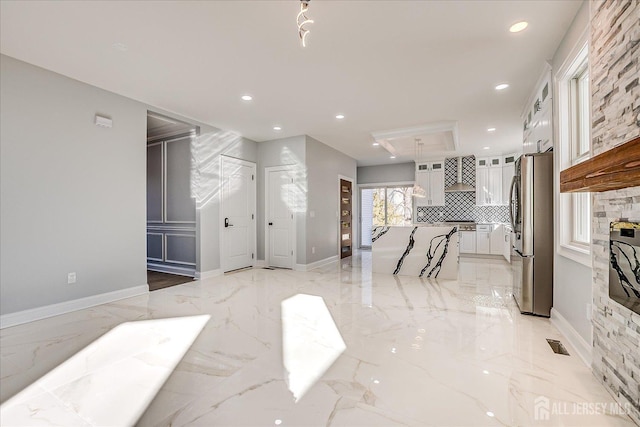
point(612, 170)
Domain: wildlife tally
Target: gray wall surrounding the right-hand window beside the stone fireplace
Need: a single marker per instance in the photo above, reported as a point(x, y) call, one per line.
point(572, 280)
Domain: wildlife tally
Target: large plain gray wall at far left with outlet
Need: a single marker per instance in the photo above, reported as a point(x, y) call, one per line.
point(72, 193)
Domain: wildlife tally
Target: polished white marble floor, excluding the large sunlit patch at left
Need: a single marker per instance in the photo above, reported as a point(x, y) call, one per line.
point(376, 350)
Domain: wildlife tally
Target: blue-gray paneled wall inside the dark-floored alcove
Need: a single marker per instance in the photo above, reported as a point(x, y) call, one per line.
point(171, 210)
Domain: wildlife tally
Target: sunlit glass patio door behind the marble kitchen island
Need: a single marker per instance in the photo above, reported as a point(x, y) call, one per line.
point(384, 206)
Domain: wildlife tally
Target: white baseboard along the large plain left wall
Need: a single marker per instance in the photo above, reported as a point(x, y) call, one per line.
point(25, 316)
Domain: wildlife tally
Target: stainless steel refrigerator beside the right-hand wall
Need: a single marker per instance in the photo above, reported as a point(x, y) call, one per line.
point(531, 211)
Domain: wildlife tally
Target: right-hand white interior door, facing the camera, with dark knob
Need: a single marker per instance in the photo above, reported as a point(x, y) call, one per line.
point(280, 218)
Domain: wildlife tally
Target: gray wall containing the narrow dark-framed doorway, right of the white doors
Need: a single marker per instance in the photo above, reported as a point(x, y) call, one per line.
point(324, 164)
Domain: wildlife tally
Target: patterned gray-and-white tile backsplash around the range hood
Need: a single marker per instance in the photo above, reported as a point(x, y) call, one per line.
point(461, 206)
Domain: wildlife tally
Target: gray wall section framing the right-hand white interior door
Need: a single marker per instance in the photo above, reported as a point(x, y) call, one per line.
point(279, 152)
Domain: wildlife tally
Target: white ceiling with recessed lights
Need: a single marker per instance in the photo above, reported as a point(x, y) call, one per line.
point(383, 64)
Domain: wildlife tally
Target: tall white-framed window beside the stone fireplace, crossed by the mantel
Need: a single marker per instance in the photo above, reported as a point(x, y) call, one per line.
point(574, 146)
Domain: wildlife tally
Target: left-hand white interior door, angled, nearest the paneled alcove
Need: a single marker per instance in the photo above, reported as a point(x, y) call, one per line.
point(238, 203)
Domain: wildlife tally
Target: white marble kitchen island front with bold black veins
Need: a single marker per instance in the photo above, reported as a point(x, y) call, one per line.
point(420, 250)
